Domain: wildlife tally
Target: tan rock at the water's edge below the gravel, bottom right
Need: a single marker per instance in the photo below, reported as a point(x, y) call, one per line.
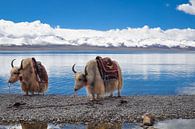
point(148, 119)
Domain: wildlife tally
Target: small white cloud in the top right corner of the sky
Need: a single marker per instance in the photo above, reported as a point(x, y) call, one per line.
point(188, 7)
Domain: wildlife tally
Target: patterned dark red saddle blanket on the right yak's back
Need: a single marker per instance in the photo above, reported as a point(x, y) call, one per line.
point(108, 68)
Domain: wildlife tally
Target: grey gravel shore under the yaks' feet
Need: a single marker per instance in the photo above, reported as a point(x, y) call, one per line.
point(68, 109)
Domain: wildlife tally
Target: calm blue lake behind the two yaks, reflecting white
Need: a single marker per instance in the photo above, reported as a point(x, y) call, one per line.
point(144, 72)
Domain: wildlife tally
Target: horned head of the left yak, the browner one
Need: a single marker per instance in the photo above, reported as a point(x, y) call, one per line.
point(15, 72)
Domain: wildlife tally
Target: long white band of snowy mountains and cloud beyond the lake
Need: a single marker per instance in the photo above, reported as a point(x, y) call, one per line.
point(37, 33)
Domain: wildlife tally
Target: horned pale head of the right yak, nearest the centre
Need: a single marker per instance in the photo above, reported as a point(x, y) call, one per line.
point(80, 79)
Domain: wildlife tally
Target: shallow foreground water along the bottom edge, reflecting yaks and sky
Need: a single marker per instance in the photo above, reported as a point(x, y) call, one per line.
point(167, 124)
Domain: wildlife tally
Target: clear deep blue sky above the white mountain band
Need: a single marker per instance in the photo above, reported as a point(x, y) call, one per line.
point(99, 14)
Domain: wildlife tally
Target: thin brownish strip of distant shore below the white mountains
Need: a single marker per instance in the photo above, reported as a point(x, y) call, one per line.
point(87, 48)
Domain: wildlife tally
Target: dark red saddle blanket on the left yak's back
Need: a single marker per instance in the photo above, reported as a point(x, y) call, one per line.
point(40, 71)
